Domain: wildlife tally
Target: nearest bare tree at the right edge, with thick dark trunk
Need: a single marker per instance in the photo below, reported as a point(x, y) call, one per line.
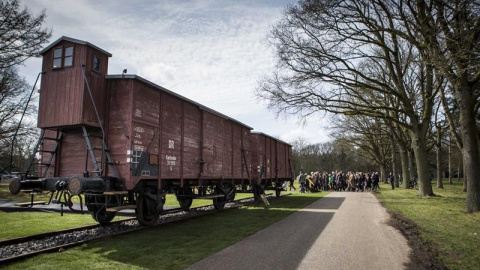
point(450, 34)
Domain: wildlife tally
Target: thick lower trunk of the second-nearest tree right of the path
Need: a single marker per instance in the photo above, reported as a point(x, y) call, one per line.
point(421, 158)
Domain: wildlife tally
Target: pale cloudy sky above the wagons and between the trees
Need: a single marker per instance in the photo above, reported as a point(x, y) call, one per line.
point(211, 51)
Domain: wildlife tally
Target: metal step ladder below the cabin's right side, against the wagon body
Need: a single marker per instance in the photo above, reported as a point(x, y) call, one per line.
point(99, 165)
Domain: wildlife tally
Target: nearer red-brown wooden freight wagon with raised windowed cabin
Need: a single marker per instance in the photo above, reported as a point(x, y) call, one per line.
point(124, 142)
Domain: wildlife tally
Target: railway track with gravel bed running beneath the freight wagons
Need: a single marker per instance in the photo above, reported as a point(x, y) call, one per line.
point(20, 248)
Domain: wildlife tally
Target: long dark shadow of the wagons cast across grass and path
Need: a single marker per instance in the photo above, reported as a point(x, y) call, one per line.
point(180, 244)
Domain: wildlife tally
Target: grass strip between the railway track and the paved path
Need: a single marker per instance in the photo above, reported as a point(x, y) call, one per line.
point(175, 245)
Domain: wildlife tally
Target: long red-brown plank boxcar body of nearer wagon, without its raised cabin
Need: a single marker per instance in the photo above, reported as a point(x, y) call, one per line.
point(178, 143)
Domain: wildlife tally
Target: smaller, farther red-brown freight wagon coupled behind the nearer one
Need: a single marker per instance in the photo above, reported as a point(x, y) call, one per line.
point(271, 161)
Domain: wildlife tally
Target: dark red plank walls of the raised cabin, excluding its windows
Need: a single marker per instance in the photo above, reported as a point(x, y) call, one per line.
point(64, 98)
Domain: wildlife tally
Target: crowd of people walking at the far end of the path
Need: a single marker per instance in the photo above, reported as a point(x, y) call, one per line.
point(338, 181)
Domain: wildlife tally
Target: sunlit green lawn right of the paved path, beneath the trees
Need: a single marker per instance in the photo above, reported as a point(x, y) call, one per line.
point(442, 220)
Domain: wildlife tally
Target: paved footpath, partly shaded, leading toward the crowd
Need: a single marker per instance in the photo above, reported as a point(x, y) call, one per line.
point(344, 230)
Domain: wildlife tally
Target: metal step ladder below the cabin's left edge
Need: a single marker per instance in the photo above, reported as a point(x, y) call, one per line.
point(40, 149)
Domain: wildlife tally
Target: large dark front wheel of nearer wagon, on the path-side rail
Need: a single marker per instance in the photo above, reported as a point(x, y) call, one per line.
point(147, 210)
